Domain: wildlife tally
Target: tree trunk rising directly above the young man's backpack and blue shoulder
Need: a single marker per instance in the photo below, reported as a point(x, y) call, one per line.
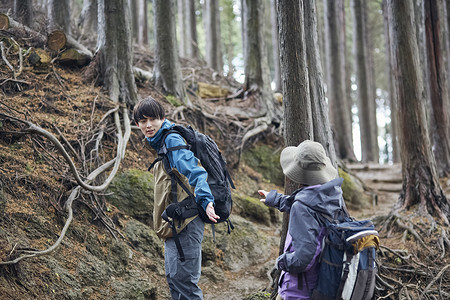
point(167, 70)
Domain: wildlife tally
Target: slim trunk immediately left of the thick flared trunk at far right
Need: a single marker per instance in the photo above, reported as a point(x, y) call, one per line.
point(393, 128)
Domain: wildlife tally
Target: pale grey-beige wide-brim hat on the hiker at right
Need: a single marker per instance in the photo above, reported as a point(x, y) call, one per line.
point(307, 164)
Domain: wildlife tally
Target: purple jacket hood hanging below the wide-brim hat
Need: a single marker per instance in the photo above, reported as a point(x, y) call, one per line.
point(326, 198)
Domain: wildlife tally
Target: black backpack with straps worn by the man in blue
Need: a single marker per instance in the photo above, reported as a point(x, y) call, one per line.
point(219, 180)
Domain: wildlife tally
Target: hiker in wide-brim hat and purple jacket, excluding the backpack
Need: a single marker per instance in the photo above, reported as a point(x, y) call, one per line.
point(320, 193)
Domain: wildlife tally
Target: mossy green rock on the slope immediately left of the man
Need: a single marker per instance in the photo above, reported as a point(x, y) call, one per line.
point(132, 193)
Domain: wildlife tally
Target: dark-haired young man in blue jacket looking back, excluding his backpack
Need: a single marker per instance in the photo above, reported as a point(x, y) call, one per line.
point(182, 276)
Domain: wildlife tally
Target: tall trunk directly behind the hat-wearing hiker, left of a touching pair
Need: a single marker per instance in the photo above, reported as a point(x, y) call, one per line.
point(296, 97)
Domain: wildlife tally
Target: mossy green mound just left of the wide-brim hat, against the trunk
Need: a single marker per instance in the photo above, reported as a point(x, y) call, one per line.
point(266, 161)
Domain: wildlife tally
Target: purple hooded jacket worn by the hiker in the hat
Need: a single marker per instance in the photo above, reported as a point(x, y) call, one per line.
point(299, 262)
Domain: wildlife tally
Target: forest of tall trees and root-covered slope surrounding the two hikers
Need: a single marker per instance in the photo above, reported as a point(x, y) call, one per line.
point(369, 80)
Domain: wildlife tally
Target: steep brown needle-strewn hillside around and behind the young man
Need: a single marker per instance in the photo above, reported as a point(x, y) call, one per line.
point(109, 250)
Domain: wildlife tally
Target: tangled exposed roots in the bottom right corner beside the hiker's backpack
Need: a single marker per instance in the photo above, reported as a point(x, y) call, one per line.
point(419, 270)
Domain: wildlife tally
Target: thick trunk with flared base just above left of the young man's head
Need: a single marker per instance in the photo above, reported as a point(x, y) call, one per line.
point(114, 51)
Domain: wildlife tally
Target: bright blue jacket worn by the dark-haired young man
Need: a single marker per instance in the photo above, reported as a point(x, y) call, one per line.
point(185, 162)
